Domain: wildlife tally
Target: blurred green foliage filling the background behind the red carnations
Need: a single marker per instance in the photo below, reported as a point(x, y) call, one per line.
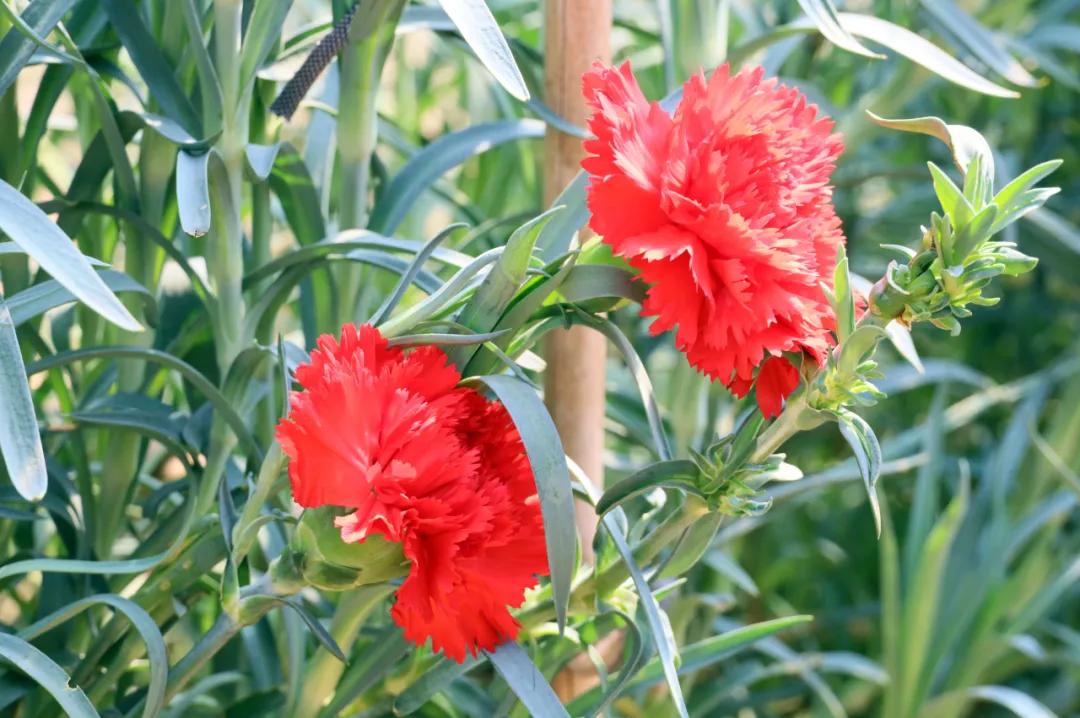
point(966, 606)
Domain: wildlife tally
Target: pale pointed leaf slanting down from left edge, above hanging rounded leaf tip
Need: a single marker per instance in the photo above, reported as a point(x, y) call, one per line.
point(29, 227)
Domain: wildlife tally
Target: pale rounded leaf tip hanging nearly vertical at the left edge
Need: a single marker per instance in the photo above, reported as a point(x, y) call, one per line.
point(20, 442)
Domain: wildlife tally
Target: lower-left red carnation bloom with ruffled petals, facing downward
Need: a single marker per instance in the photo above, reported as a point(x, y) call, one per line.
point(427, 464)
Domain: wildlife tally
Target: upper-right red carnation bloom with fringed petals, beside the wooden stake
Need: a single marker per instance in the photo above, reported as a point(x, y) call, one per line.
point(725, 210)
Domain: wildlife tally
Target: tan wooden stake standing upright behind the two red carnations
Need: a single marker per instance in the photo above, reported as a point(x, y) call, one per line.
point(577, 33)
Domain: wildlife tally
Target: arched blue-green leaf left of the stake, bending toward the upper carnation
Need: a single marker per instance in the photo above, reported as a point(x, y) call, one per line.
point(441, 156)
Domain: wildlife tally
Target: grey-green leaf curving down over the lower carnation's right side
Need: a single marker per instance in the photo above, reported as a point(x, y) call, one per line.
point(548, 460)
